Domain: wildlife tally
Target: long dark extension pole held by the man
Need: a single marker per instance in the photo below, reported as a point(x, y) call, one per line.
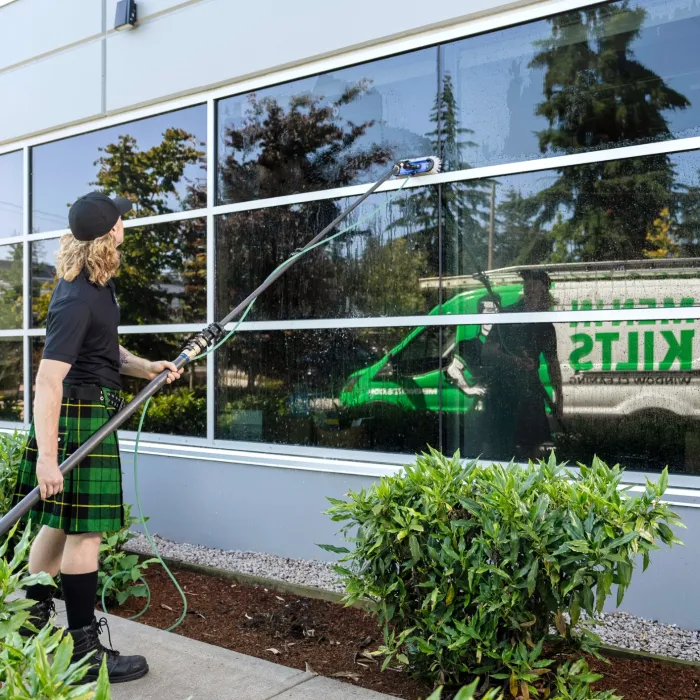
point(29, 501)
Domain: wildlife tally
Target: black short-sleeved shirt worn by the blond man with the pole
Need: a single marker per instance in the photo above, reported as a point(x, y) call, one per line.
point(82, 330)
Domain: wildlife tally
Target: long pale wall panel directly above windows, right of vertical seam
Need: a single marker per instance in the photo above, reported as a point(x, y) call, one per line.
point(212, 42)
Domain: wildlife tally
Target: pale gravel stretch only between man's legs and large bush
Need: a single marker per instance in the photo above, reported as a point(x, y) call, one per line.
point(316, 574)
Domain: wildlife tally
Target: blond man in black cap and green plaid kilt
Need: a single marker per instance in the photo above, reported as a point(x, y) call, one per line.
point(77, 391)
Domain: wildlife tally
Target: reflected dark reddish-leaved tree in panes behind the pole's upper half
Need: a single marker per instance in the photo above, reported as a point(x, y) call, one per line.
point(303, 146)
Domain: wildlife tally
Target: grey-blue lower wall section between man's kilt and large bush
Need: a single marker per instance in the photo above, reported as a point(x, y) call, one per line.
point(239, 507)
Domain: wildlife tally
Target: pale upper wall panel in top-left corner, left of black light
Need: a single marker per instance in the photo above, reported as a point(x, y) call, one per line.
point(33, 27)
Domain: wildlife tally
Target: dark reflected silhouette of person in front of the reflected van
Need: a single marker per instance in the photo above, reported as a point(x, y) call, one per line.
point(515, 404)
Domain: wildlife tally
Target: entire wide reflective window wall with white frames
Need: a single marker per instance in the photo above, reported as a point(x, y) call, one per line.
point(593, 125)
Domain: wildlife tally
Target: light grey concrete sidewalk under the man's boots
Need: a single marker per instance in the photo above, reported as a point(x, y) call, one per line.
point(182, 668)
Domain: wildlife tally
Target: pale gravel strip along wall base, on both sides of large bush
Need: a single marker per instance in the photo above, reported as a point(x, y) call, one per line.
point(617, 629)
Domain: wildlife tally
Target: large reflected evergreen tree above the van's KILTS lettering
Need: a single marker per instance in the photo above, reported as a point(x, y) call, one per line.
point(596, 93)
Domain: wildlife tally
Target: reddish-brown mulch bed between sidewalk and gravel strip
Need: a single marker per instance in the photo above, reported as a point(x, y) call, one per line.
point(334, 641)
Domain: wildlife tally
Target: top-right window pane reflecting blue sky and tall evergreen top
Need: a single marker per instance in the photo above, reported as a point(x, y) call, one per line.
point(585, 80)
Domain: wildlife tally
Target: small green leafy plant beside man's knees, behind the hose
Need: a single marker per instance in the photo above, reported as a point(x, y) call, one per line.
point(120, 572)
